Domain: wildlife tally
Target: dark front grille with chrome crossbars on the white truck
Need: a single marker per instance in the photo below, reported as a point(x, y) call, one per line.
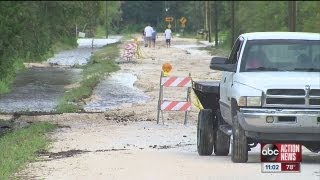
point(293, 98)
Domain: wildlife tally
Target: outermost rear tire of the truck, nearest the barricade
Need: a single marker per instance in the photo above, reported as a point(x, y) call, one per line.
point(205, 133)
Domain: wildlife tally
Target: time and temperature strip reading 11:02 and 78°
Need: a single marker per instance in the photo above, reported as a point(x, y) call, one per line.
point(280, 167)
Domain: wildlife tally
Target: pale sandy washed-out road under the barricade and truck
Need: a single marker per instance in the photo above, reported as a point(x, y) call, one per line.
point(126, 143)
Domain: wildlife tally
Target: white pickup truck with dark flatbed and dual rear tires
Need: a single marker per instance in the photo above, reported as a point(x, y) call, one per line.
point(269, 92)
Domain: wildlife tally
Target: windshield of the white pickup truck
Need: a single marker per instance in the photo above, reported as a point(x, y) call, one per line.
point(281, 55)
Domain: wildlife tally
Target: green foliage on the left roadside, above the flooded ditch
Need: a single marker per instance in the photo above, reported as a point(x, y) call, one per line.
point(29, 29)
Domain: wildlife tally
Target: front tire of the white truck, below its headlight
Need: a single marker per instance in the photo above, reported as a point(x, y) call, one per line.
point(239, 142)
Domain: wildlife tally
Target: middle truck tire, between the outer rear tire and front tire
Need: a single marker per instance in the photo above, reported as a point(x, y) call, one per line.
point(221, 140)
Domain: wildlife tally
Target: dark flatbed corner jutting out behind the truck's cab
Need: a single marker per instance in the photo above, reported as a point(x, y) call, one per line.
point(208, 93)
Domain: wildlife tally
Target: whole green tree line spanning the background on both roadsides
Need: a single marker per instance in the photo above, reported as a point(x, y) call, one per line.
point(30, 29)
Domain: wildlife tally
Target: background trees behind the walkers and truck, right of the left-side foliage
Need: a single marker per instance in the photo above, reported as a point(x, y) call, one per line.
point(249, 15)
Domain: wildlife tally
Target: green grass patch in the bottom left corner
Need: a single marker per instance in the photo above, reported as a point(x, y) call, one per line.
point(19, 147)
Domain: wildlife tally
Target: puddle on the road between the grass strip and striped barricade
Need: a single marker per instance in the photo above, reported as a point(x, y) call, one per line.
point(114, 91)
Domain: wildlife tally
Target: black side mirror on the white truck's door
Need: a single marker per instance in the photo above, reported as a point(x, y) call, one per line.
point(219, 63)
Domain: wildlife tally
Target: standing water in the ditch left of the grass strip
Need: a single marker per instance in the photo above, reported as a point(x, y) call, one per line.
point(38, 89)
